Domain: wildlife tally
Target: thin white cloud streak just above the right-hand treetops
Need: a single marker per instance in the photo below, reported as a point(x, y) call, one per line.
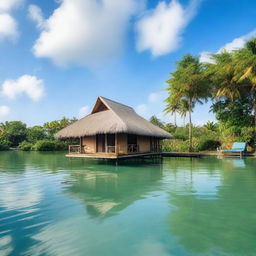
point(235, 44)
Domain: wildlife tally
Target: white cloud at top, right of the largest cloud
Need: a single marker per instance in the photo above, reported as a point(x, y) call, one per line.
point(160, 30)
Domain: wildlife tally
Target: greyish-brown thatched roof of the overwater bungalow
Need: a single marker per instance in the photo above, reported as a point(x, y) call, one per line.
point(111, 117)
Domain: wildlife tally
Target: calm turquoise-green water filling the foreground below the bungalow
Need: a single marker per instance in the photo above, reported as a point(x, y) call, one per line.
point(50, 205)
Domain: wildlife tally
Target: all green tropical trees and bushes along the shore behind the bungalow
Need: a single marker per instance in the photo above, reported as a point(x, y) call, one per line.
point(228, 82)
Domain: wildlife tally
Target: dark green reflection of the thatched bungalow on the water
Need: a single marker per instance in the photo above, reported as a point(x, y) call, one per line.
point(107, 193)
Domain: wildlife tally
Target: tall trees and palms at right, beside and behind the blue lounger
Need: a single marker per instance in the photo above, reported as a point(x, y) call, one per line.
point(229, 81)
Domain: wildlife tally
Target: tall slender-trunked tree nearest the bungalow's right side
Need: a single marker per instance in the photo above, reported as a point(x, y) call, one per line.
point(188, 83)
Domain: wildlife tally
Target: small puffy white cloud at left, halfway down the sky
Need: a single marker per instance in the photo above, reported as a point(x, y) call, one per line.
point(26, 84)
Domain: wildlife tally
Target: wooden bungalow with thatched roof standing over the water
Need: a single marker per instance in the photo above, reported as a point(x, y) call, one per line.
point(113, 130)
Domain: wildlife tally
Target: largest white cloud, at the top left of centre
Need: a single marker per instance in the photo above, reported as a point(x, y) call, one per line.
point(85, 32)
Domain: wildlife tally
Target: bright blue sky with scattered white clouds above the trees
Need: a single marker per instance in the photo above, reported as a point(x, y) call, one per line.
point(58, 56)
